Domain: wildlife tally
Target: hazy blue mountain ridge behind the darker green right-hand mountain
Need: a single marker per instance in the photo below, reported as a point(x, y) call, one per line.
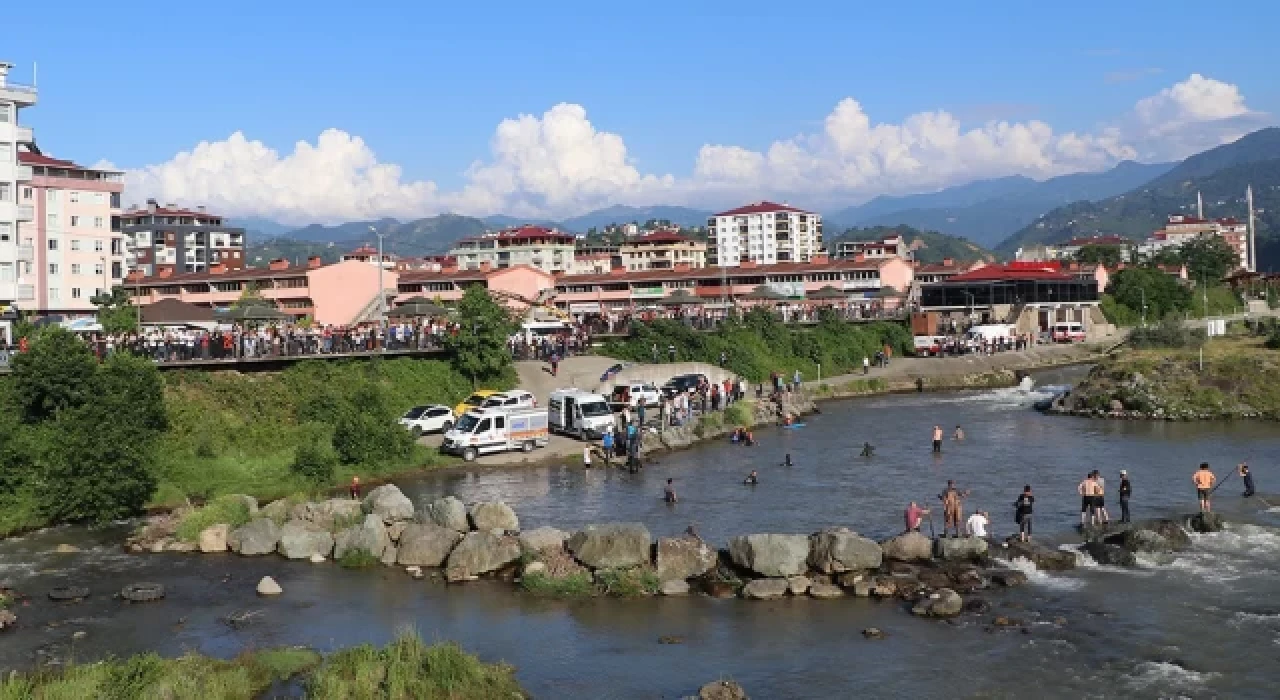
point(989, 212)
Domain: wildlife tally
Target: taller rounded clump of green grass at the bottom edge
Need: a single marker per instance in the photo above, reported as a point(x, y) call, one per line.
point(410, 670)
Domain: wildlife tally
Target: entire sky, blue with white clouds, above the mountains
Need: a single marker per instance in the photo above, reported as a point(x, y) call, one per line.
point(330, 112)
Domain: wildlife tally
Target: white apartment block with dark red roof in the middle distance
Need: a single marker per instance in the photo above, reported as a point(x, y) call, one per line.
point(764, 234)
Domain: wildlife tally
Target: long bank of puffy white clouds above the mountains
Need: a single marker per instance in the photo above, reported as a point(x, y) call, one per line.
point(560, 164)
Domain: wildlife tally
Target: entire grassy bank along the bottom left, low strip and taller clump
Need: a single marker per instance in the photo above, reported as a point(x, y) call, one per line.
point(406, 669)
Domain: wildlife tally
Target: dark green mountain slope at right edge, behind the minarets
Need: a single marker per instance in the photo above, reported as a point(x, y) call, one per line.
point(1219, 175)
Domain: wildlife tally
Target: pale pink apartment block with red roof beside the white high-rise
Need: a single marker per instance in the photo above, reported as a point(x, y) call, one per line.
point(75, 236)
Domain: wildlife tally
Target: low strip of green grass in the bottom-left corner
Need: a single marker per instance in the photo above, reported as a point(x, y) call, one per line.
point(150, 678)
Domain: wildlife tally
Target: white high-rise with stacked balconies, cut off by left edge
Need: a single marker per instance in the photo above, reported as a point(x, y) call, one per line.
point(13, 254)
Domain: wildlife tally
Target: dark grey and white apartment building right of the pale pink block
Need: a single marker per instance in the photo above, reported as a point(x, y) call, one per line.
point(161, 239)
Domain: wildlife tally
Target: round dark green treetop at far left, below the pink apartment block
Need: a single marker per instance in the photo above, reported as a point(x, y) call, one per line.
point(56, 374)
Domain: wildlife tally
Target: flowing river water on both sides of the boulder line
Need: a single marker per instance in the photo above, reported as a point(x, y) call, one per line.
point(1204, 625)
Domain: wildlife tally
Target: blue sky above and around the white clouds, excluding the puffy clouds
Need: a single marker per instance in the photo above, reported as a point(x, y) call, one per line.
point(426, 85)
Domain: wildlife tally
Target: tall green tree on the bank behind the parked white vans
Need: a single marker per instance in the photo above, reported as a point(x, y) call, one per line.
point(481, 344)
